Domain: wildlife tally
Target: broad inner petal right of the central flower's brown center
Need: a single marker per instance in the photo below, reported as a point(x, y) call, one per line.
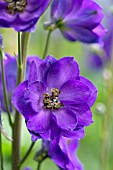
point(74, 90)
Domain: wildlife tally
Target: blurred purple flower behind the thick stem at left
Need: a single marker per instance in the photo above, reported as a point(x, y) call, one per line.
point(10, 67)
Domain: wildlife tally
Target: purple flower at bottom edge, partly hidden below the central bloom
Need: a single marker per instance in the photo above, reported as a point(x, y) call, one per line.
point(62, 151)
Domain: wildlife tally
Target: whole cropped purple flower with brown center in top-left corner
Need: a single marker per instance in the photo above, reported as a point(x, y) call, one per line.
point(22, 15)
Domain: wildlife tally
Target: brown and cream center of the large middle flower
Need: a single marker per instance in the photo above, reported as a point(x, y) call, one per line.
point(51, 101)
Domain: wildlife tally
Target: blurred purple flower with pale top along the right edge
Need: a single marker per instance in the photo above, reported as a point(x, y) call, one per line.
point(98, 57)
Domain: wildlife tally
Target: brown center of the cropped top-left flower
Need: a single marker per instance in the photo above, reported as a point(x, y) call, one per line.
point(15, 6)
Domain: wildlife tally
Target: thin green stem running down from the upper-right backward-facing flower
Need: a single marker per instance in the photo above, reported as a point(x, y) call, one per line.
point(47, 44)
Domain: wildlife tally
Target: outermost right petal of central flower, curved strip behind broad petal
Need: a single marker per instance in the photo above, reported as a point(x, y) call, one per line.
point(93, 89)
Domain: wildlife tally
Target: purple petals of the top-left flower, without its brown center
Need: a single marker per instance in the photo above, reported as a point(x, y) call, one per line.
point(23, 21)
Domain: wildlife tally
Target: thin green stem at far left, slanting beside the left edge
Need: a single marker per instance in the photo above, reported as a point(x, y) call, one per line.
point(5, 89)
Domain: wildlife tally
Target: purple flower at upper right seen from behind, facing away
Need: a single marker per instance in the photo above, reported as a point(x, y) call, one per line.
point(78, 20)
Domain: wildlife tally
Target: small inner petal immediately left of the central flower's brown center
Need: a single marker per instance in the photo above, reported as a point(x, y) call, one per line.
point(36, 91)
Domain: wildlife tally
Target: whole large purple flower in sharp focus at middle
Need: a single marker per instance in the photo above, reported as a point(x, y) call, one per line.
point(55, 100)
